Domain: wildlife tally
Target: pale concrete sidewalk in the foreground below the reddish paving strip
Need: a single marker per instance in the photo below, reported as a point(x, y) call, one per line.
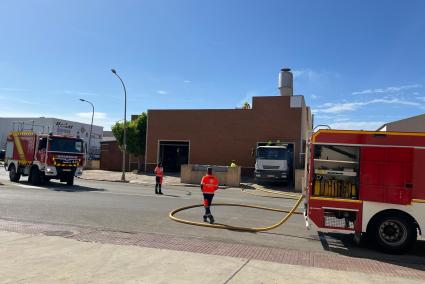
point(29, 258)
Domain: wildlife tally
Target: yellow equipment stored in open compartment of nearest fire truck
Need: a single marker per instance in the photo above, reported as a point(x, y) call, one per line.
point(332, 187)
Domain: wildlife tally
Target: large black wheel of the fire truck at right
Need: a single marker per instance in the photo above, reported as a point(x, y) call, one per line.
point(393, 233)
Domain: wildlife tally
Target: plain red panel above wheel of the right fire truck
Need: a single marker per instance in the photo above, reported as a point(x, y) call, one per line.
point(388, 178)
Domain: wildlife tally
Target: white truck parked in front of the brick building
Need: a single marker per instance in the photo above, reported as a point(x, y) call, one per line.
point(273, 163)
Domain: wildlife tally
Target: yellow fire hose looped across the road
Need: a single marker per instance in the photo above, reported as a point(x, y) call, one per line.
point(299, 199)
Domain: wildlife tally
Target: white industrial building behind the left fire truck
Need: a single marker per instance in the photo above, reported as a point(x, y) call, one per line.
point(55, 126)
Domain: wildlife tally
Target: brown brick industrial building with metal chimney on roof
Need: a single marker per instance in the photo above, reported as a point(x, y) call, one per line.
point(218, 136)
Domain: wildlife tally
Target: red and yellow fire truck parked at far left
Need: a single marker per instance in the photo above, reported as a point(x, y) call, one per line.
point(43, 157)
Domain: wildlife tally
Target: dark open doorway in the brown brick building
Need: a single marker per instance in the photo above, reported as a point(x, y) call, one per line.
point(173, 154)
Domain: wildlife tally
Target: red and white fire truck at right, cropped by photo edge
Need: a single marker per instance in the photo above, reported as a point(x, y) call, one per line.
point(371, 183)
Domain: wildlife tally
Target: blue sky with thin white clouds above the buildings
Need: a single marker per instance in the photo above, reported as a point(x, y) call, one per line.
point(358, 63)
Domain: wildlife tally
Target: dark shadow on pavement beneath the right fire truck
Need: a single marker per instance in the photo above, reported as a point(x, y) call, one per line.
point(344, 244)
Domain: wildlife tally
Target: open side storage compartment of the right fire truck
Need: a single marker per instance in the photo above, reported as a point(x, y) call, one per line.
point(335, 180)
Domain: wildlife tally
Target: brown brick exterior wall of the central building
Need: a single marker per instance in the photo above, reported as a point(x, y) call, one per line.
point(218, 136)
